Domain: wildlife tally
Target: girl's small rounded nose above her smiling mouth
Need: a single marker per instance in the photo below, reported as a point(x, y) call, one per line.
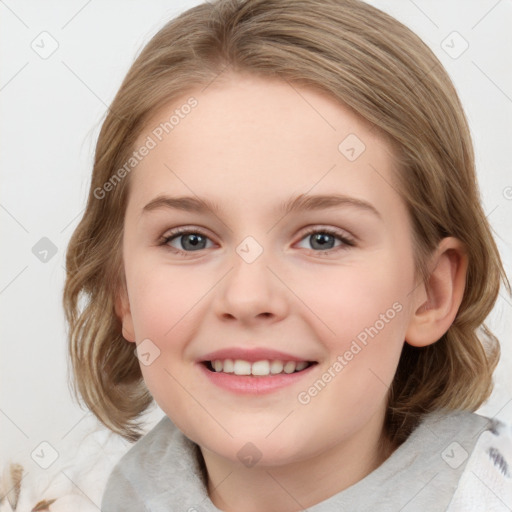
point(251, 293)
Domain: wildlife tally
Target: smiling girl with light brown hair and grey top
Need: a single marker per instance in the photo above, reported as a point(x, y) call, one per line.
point(284, 247)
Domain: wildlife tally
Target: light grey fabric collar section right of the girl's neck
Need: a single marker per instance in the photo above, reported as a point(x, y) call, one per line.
point(424, 472)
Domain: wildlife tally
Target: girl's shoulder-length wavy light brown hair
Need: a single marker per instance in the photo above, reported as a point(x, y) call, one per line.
point(385, 74)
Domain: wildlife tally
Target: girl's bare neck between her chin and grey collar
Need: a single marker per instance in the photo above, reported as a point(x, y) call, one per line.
point(301, 484)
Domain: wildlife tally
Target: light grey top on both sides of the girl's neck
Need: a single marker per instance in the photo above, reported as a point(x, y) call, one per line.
point(162, 471)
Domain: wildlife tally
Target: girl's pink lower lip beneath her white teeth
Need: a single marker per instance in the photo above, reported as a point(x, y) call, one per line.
point(251, 384)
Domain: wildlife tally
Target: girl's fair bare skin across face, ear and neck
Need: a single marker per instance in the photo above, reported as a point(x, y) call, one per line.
point(249, 145)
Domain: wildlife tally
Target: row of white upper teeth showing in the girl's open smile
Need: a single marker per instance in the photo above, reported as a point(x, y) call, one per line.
point(262, 368)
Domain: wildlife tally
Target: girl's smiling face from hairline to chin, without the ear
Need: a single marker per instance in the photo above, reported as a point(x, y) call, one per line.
point(271, 306)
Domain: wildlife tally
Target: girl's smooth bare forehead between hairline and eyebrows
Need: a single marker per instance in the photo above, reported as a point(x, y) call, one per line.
point(250, 139)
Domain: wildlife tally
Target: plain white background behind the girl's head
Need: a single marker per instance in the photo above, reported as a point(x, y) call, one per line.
point(51, 112)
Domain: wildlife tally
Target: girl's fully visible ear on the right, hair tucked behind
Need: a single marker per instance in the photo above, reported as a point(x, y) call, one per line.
point(436, 303)
